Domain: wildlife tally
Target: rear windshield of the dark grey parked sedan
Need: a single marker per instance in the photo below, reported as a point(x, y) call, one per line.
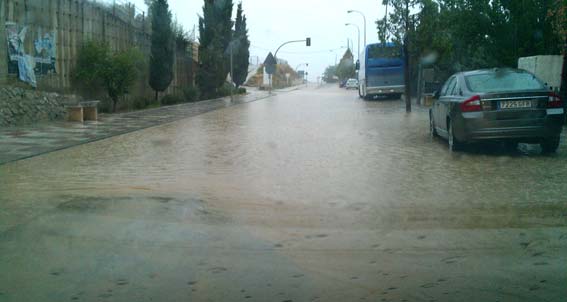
point(503, 81)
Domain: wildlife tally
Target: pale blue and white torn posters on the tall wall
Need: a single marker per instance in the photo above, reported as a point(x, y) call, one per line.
point(26, 65)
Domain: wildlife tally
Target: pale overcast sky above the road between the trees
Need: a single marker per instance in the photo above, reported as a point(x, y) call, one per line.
point(272, 22)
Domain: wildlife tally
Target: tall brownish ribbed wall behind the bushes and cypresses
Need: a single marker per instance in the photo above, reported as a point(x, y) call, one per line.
point(66, 25)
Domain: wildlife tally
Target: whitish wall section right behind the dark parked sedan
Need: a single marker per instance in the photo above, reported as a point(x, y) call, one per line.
point(546, 68)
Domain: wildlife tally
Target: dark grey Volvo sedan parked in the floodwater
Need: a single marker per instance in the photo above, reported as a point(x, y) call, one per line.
point(508, 105)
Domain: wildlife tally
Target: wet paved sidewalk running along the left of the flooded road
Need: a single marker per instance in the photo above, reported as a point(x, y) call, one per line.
point(18, 143)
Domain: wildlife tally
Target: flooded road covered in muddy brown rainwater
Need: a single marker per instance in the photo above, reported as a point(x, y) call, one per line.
point(312, 195)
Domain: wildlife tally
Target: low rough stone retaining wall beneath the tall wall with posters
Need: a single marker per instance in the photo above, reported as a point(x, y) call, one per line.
point(22, 106)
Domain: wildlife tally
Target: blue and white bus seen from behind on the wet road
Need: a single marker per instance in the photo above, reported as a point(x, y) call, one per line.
point(381, 71)
